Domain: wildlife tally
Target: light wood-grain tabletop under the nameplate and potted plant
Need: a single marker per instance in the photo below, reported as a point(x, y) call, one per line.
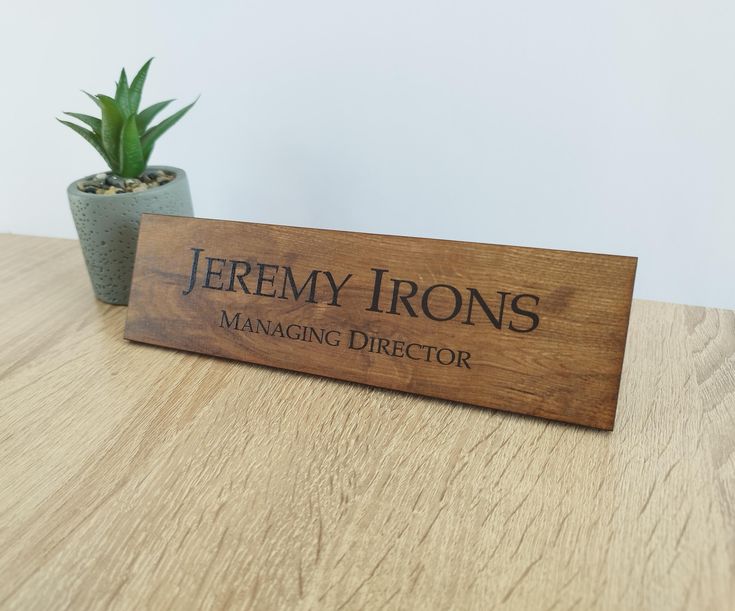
point(137, 477)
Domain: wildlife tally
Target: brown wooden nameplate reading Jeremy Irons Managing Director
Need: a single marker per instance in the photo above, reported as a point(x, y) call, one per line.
point(532, 331)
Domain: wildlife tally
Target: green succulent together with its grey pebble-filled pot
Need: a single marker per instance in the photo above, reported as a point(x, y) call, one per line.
point(106, 206)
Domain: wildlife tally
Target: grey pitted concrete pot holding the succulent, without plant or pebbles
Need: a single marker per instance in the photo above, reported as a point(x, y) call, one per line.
point(108, 229)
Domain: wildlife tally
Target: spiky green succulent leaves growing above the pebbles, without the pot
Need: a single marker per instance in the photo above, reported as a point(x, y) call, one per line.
point(122, 135)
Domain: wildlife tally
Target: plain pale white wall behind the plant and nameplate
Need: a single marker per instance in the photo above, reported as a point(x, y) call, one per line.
point(576, 124)
